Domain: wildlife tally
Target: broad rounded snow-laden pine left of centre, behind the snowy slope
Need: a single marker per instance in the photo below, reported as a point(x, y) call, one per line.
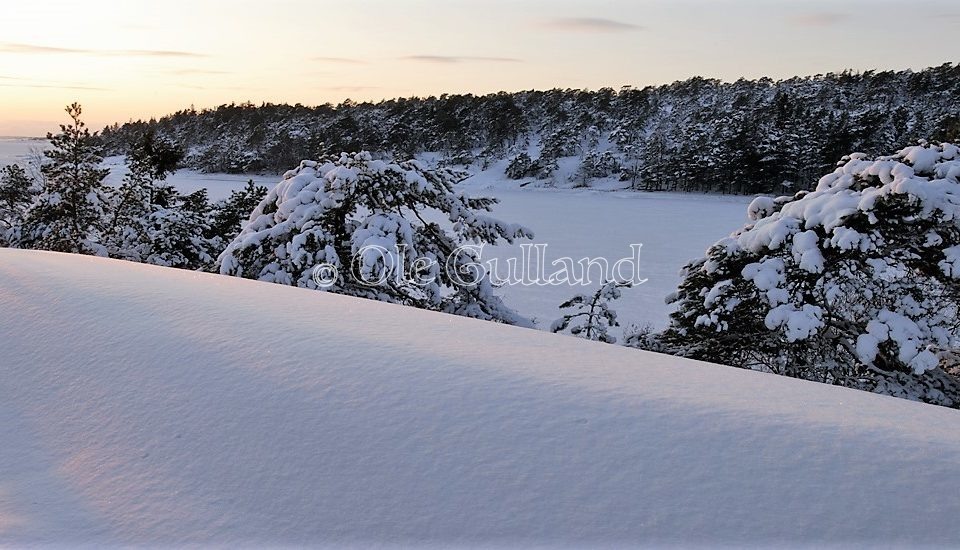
point(373, 221)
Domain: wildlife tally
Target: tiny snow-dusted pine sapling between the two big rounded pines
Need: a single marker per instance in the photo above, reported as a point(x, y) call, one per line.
point(591, 316)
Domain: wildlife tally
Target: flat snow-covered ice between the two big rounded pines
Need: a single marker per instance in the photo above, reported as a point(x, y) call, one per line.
point(672, 227)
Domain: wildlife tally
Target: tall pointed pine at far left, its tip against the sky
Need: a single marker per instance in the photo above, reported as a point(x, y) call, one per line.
point(70, 213)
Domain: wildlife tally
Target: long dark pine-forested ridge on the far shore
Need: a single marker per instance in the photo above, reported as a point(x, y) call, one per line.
point(748, 136)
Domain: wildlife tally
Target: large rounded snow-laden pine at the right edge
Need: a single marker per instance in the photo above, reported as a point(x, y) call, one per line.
point(856, 283)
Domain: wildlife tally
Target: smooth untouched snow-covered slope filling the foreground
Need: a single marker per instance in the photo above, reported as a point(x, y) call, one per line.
point(145, 405)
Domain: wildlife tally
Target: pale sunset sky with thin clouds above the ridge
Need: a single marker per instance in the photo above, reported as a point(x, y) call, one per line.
point(136, 59)
